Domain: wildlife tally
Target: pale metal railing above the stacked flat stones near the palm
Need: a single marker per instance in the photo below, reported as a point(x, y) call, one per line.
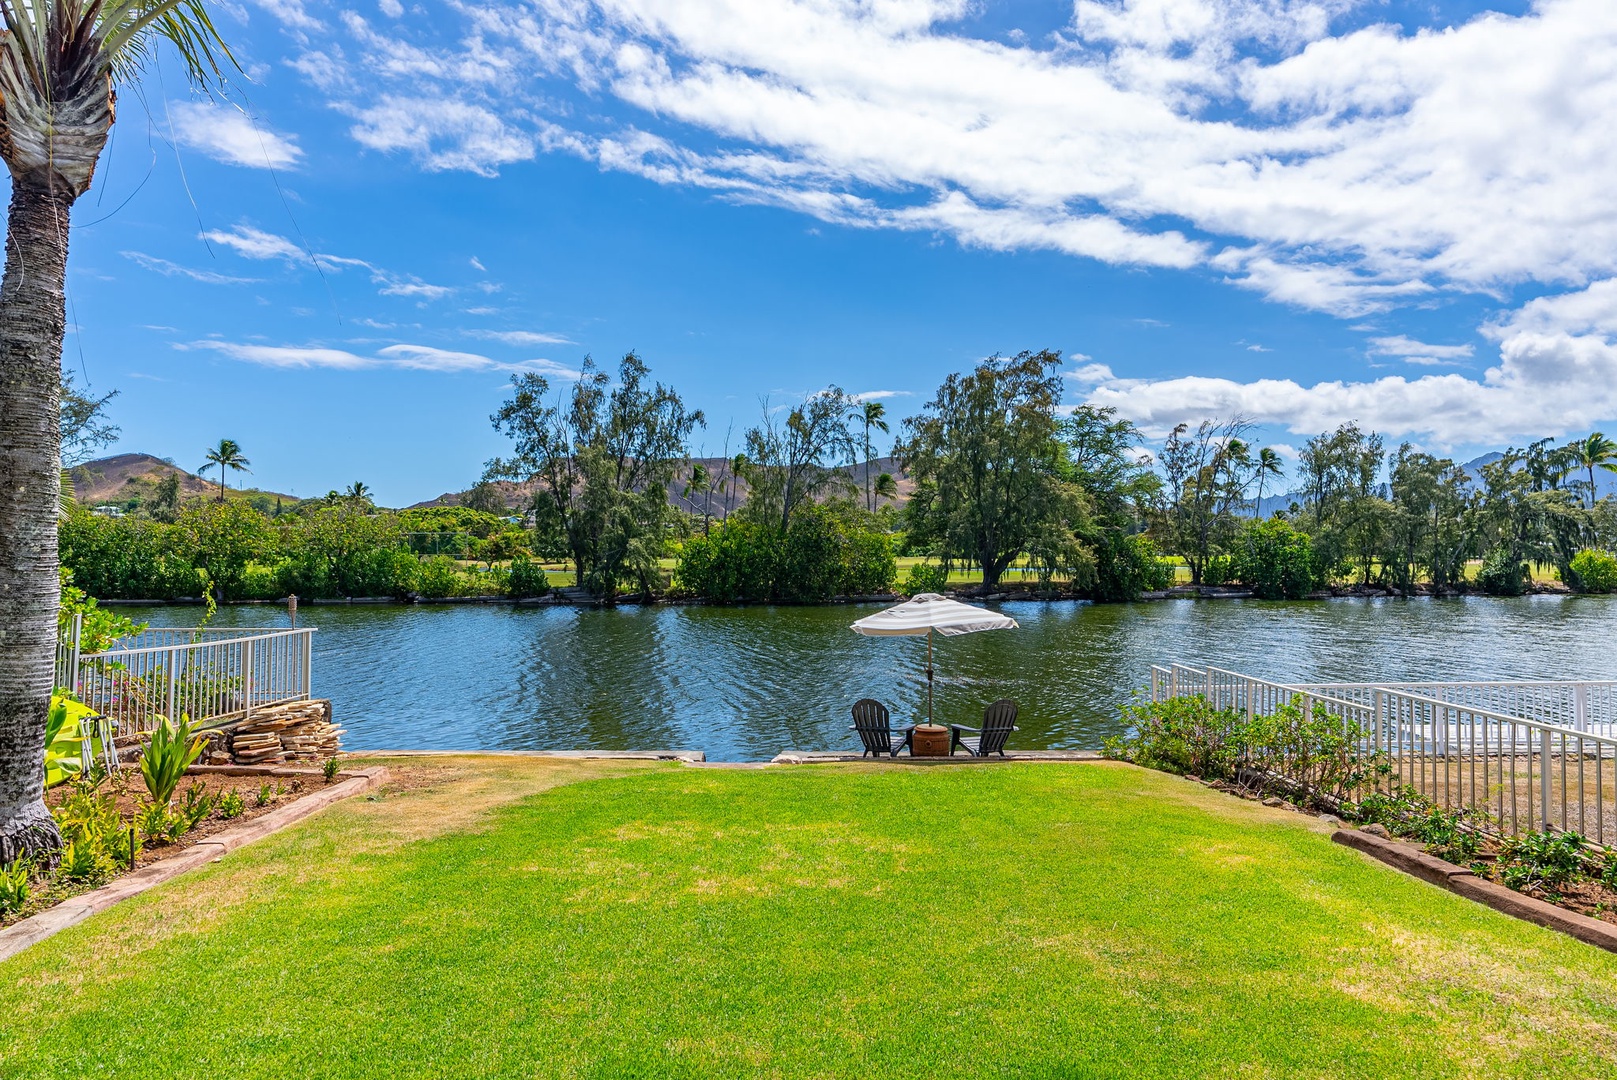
point(213, 677)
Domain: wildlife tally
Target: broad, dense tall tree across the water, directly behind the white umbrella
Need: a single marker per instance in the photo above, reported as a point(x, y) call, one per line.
point(989, 468)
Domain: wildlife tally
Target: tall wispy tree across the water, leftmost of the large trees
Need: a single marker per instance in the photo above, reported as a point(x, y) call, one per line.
point(602, 468)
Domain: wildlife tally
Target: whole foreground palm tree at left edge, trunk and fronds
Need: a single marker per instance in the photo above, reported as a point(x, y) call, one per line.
point(59, 65)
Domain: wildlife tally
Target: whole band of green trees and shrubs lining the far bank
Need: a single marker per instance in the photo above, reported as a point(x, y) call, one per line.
point(997, 492)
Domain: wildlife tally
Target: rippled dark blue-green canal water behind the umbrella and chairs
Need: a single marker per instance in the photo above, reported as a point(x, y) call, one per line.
point(749, 683)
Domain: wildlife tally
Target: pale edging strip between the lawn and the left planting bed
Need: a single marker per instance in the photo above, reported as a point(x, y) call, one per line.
point(75, 911)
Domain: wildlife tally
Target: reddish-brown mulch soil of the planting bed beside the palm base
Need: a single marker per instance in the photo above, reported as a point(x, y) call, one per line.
point(129, 791)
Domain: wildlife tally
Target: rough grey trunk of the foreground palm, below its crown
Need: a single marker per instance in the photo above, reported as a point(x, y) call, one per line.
point(32, 327)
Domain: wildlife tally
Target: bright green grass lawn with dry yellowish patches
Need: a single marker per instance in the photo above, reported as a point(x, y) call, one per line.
point(554, 919)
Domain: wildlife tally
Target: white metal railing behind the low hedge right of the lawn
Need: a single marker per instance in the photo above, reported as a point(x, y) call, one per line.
point(1514, 772)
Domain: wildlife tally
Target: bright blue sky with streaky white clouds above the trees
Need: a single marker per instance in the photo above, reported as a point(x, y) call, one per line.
point(1306, 213)
